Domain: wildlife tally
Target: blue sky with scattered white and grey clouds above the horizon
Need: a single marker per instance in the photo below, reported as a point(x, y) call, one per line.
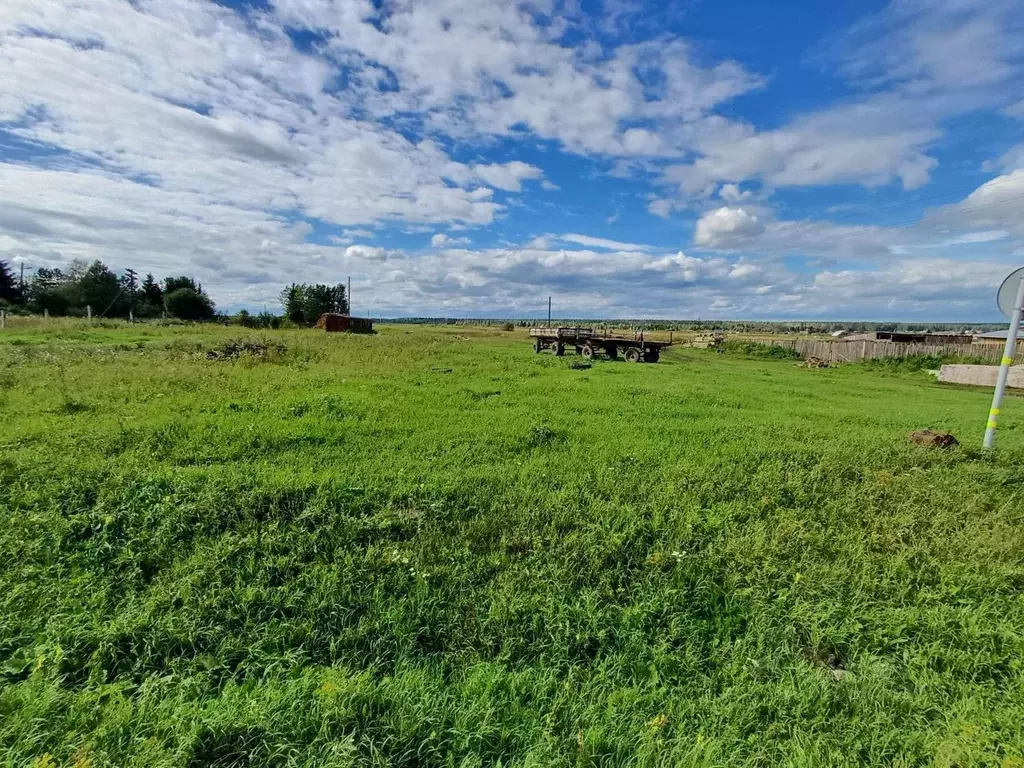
point(858, 160)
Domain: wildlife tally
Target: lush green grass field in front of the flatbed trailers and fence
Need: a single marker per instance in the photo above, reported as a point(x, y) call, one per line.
point(432, 547)
